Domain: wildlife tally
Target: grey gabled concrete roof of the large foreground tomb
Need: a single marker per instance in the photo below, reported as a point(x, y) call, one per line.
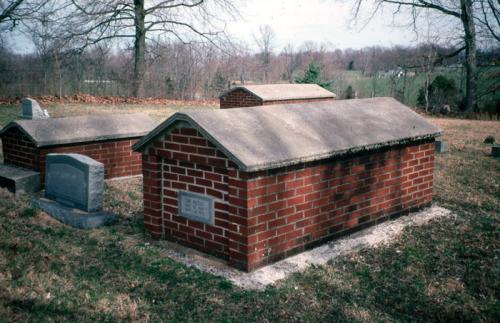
point(280, 135)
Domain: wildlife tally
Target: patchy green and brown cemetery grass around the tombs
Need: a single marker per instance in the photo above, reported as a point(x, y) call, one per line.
point(448, 270)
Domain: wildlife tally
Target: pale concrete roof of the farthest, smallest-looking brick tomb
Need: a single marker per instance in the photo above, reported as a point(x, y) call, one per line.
point(275, 92)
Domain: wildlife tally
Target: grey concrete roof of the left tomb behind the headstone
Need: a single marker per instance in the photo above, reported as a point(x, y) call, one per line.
point(58, 131)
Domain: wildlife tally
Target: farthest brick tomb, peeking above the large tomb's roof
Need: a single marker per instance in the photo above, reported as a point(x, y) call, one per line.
point(268, 94)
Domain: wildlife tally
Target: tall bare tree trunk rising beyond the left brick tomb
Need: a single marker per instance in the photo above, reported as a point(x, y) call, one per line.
point(139, 49)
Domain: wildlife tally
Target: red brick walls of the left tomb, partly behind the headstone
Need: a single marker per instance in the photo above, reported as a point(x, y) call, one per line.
point(117, 156)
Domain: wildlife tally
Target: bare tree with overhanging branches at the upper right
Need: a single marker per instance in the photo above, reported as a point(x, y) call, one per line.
point(468, 13)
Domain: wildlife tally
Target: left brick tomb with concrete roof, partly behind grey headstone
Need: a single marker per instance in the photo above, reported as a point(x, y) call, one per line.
point(105, 138)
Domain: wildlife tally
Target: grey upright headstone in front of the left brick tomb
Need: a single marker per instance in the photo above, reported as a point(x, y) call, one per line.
point(75, 180)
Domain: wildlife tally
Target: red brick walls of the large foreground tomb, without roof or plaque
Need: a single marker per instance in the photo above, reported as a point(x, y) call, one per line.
point(265, 216)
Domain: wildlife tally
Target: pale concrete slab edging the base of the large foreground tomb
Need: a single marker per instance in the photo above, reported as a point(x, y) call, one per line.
point(260, 278)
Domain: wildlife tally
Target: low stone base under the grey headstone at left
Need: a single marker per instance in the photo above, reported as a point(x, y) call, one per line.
point(74, 217)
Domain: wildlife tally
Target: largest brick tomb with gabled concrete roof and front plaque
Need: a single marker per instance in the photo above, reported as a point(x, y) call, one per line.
point(253, 185)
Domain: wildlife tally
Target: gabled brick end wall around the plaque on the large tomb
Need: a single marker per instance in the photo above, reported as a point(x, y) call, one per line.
point(184, 160)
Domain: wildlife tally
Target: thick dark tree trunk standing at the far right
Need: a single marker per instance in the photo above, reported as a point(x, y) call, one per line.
point(470, 103)
